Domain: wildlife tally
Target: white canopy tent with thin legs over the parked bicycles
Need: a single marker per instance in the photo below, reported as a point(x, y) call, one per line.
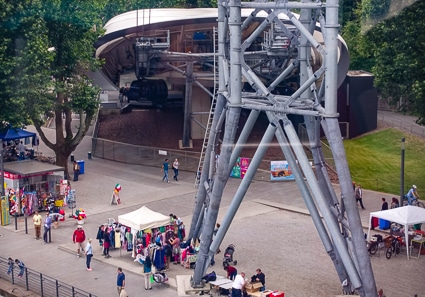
point(406, 216)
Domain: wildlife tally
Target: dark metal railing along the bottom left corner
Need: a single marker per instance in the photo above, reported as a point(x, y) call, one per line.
point(39, 283)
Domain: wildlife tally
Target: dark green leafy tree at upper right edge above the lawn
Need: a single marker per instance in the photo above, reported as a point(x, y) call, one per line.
point(398, 46)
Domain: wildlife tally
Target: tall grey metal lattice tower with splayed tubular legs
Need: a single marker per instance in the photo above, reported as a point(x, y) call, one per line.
point(315, 99)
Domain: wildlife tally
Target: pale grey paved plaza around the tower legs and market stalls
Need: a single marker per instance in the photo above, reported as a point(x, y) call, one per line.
point(271, 231)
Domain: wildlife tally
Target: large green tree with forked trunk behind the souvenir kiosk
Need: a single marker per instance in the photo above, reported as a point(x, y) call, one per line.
point(50, 51)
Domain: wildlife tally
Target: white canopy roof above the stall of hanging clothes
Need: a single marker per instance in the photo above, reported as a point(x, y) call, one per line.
point(142, 219)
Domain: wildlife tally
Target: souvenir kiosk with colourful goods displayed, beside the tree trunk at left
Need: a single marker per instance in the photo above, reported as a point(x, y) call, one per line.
point(32, 185)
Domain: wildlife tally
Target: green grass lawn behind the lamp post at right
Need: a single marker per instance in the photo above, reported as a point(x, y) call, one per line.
point(375, 161)
